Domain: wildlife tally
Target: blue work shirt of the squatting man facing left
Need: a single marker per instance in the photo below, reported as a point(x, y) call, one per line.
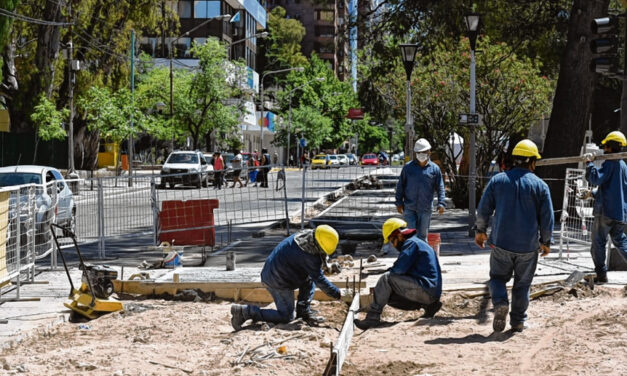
point(418, 260)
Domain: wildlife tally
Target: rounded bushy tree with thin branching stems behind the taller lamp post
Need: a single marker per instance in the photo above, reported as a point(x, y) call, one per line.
point(511, 94)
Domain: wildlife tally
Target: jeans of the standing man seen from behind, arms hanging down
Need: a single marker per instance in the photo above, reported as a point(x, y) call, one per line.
point(502, 265)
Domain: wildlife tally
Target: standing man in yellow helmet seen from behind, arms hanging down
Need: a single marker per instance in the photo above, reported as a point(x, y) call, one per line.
point(521, 204)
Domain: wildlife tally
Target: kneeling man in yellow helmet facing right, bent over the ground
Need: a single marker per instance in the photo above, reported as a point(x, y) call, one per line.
point(296, 263)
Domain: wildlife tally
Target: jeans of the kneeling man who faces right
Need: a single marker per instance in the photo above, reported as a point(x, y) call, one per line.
point(284, 301)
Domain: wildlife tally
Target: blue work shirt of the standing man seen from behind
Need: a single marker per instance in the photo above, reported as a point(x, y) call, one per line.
point(521, 203)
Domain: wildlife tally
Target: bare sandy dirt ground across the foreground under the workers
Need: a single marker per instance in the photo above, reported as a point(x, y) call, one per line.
point(567, 335)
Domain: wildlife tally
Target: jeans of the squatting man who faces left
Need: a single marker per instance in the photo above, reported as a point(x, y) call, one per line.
point(401, 285)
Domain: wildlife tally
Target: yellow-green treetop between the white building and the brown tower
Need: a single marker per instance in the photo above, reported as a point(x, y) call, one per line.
point(283, 45)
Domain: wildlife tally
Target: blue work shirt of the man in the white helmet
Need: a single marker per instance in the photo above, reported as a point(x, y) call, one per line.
point(416, 186)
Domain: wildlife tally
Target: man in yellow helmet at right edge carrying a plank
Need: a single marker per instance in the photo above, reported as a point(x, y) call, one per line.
point(610, 205)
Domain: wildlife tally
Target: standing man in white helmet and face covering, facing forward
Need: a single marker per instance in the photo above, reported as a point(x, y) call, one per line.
point(419, 180)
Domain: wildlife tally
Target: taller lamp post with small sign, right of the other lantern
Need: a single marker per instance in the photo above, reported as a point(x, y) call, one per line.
point(472, 26)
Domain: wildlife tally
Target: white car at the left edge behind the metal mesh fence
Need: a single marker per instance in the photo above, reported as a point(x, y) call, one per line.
point(65, 215)
